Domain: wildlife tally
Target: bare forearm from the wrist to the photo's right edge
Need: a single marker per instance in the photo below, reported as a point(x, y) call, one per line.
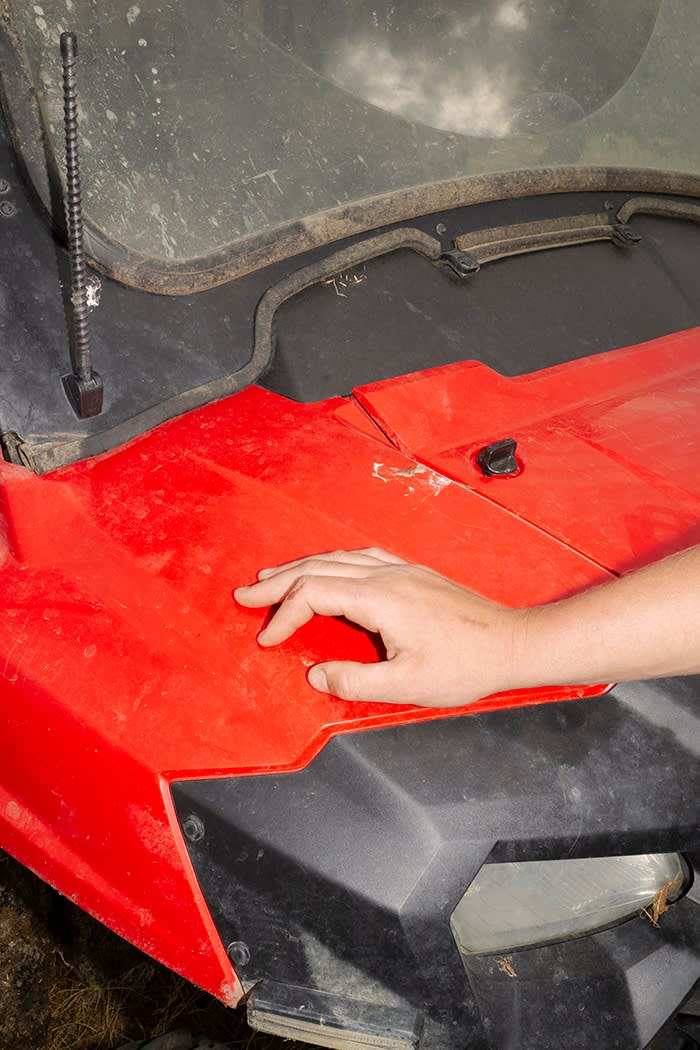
point(645, 625)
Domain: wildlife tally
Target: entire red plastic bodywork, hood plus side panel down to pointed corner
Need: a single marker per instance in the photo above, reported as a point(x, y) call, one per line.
point(126, 664)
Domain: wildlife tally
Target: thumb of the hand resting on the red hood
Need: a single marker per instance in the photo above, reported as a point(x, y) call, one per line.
point(386, 682)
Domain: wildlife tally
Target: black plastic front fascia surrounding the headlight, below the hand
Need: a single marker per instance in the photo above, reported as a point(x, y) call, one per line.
point(344, 877)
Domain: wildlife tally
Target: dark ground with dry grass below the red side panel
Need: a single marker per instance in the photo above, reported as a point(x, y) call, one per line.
point(67, 983)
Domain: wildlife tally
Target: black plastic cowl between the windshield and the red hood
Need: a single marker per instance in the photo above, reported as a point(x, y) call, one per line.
point(161, 355)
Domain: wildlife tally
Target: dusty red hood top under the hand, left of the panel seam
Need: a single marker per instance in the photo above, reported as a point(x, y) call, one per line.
point(141, 549)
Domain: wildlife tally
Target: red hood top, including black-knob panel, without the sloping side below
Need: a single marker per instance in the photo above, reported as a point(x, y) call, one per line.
point(119, 571)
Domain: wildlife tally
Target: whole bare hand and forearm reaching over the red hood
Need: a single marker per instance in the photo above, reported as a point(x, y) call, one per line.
point(447, 646)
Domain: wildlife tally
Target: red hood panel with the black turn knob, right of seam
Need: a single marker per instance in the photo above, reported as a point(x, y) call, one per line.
point(608, 447)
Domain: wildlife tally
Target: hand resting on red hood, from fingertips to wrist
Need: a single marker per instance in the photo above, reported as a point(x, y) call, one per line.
point(446, 646)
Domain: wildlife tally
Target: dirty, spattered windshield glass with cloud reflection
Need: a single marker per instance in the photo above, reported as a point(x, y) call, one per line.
point(207, 124)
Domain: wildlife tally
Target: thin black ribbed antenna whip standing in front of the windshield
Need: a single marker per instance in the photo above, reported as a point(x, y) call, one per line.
point(83, 386)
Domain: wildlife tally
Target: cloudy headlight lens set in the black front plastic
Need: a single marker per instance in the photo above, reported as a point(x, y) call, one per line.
point(517, 906)
